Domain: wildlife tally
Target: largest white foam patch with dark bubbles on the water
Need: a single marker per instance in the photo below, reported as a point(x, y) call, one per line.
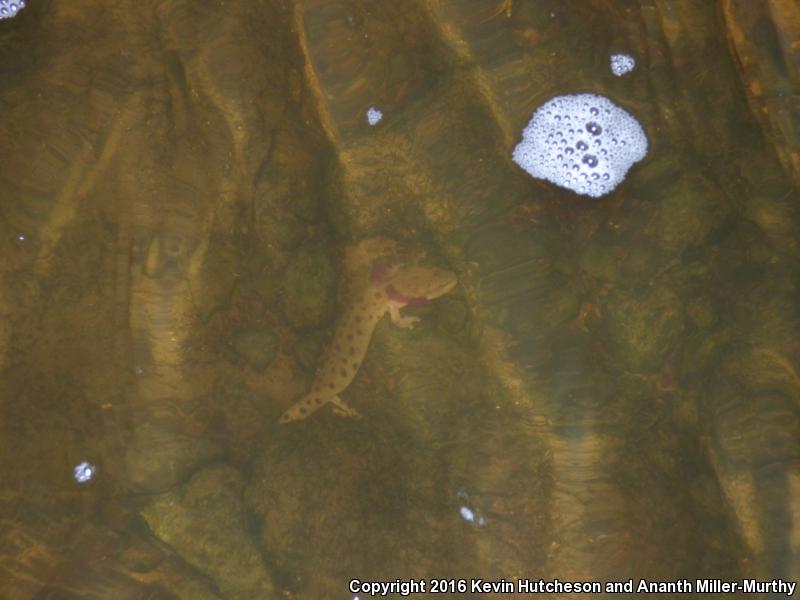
point(582, 142)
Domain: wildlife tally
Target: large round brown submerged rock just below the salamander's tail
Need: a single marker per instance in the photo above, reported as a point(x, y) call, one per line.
point(327, 495)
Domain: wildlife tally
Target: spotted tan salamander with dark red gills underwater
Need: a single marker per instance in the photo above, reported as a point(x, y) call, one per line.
point(386, 289)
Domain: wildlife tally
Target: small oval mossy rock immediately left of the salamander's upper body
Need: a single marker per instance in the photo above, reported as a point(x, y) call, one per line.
point(309, 287)
